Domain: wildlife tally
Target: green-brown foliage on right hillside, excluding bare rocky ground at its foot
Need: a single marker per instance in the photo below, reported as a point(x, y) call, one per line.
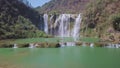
point(96, 17)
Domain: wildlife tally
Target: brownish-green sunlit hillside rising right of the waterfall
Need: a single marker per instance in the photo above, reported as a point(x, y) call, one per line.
point(102, 19)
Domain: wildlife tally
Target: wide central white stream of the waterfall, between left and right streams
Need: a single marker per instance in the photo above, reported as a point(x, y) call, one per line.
point(63, 27)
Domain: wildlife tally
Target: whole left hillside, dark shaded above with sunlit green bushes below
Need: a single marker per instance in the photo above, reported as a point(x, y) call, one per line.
point(18, 20)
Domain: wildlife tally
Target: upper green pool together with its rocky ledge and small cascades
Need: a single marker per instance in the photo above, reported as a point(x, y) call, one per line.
point(55, 43)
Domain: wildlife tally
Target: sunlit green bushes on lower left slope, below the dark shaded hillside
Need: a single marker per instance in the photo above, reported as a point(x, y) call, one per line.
point(22, 28)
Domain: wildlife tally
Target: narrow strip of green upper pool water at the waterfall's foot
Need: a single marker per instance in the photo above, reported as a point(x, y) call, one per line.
point(48, 40)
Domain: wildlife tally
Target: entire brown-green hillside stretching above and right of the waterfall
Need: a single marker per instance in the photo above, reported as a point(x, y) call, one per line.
point(101, 18)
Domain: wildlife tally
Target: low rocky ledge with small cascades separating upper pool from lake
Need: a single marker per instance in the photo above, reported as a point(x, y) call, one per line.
point(57, 45)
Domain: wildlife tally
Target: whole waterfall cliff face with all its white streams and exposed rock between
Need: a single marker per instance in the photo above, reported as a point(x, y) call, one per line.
point(63, 25)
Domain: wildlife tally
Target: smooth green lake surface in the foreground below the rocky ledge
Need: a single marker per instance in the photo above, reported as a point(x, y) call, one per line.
point(67, 57)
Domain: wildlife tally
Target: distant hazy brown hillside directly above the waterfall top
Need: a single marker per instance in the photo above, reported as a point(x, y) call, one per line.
point(63, 6)
